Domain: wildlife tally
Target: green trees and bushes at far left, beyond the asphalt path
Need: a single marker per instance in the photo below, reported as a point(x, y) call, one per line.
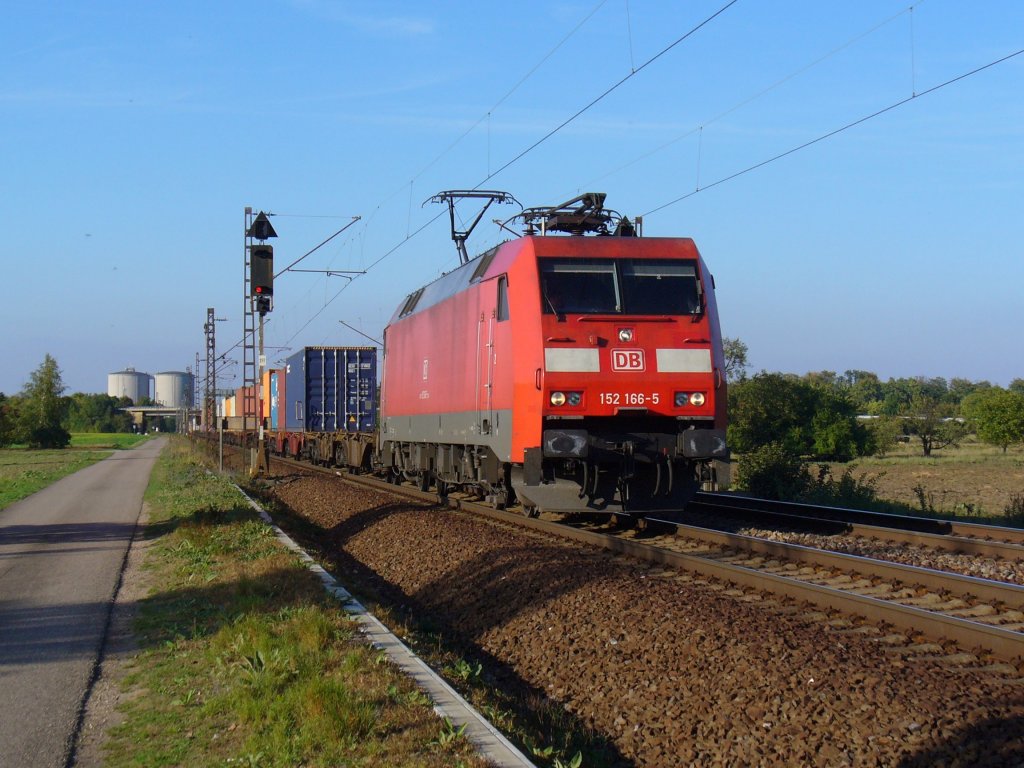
point(42, 417)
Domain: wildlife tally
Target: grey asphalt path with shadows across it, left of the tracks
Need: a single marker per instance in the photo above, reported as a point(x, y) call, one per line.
point(62, 551)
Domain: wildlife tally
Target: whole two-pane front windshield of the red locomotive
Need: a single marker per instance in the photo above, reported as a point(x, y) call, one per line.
point(620, 287)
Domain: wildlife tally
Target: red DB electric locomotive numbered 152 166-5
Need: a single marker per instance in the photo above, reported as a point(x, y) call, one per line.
point(579, 367)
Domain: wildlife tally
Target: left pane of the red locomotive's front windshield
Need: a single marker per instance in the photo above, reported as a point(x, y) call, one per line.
point(589, 286)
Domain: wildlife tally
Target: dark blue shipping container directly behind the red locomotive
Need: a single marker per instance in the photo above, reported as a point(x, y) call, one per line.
point(331, 390)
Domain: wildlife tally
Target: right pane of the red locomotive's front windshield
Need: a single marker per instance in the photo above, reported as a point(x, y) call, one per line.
point(657, 287)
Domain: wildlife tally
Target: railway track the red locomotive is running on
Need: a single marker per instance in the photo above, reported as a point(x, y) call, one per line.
point(984, 616)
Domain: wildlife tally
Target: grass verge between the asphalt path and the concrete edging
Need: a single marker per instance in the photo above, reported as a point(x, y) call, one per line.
point(245, 660)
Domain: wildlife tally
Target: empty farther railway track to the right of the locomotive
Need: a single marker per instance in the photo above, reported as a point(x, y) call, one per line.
point(951, 542)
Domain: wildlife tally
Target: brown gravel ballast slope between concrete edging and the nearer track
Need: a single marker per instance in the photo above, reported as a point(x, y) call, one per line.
point(675, 671)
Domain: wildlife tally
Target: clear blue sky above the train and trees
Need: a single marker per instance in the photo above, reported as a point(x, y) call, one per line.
point(135, 136)
